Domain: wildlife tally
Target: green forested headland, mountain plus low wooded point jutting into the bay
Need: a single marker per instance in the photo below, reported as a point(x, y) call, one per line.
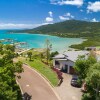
point(72, 29)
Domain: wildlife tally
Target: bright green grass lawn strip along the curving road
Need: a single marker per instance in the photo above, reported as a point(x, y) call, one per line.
point(43, 69)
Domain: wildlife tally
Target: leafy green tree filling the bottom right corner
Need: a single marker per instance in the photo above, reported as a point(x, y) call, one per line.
point(93, 81)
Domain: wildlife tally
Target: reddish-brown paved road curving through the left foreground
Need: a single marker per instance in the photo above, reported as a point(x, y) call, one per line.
point(32, 83)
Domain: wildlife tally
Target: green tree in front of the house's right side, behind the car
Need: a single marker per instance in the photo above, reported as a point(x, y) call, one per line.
point(83, 64)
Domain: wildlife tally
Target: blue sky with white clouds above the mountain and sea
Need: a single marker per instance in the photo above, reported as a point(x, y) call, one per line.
point(16, 14)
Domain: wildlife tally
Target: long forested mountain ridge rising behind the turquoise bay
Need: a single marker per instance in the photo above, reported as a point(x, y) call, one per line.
point(69, 28)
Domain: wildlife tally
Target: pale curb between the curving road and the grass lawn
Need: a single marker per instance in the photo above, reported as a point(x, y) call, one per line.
point(45, 79)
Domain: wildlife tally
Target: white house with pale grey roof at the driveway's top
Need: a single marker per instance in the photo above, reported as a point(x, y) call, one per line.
point(66, 60)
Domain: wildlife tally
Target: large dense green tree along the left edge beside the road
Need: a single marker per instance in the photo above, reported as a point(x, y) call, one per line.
point(9, 90)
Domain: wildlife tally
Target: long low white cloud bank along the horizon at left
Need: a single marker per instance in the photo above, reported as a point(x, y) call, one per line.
point(19, 26)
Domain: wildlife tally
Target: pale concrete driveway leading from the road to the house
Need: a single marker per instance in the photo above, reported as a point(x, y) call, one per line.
point(66, 91)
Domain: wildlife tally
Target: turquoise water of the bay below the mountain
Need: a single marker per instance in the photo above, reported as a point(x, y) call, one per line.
point(38, 40)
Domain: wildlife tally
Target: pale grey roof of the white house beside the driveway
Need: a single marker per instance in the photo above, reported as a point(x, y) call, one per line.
point(72, 55)
